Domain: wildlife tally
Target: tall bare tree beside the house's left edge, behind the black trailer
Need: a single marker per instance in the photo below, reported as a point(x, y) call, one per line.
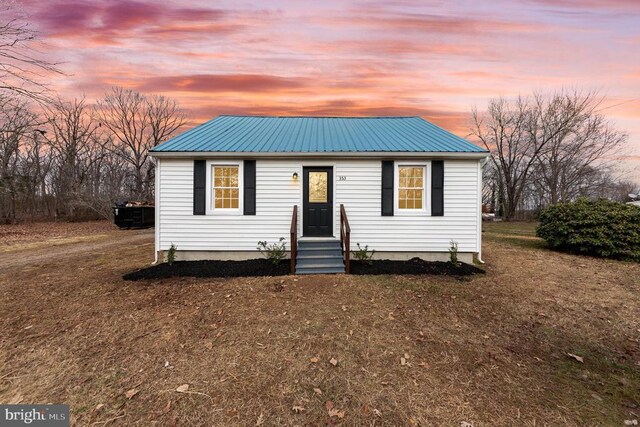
point(138, 123)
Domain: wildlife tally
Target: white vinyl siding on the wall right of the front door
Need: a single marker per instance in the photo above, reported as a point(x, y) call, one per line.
point(417, 232)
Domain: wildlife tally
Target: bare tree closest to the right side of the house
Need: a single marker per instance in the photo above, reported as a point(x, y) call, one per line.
point(518, 132)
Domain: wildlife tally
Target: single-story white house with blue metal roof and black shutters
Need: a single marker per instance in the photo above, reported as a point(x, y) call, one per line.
point(400, 185)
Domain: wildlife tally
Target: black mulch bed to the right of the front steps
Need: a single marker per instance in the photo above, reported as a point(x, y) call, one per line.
point(414, 266)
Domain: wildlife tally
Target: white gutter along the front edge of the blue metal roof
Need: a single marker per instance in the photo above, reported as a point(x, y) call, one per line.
point(342, 155)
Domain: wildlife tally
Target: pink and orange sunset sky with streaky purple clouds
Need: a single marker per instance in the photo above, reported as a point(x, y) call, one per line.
point(436, 59)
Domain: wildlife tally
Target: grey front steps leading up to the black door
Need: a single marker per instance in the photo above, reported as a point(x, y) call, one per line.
point(319, 256)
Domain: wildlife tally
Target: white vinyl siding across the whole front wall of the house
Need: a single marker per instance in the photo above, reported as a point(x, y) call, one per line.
point(360, 192)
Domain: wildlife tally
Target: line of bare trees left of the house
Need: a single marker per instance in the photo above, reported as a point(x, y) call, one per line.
point(68, 159)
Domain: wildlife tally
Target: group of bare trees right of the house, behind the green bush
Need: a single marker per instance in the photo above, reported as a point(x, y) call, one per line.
point(548, 149)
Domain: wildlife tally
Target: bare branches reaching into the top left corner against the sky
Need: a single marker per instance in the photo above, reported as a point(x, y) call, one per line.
point(22, 64)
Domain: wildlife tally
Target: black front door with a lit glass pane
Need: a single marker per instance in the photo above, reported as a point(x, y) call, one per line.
point(317, 203)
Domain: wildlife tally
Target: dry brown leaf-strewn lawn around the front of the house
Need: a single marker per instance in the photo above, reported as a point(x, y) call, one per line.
point(491, 350)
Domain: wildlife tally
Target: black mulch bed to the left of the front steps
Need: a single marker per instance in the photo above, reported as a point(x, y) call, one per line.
point(245, 268)
